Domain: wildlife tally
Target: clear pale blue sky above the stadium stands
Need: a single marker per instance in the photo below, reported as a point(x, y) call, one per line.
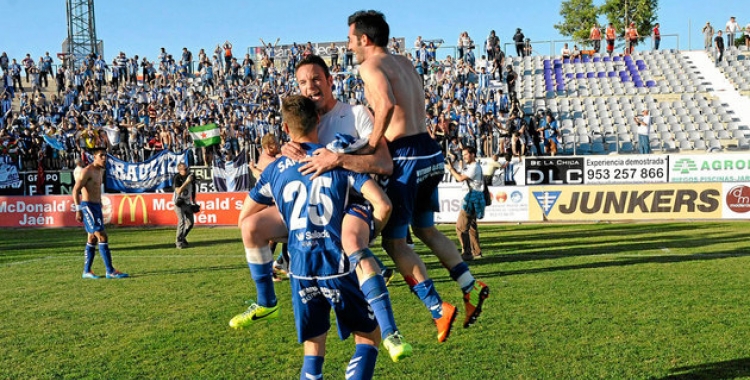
point(142, 27)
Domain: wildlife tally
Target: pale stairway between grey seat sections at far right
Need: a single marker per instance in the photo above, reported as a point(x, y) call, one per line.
point(719, 86)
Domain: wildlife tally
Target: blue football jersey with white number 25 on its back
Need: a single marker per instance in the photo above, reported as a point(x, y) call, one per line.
point(313, 211)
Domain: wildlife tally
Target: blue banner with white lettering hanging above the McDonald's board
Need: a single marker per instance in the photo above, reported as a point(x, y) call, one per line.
point(142, 177)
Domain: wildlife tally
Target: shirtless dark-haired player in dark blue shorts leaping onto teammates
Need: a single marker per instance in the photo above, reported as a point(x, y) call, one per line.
point(396, 95)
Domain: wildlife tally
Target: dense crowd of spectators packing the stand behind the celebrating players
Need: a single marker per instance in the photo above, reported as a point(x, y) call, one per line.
point(137, 107)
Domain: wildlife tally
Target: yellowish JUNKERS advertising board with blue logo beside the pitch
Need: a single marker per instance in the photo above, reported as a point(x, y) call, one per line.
point(634, 202)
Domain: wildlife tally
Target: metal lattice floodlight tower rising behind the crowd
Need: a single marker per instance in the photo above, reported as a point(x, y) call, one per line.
point(81, 30)
